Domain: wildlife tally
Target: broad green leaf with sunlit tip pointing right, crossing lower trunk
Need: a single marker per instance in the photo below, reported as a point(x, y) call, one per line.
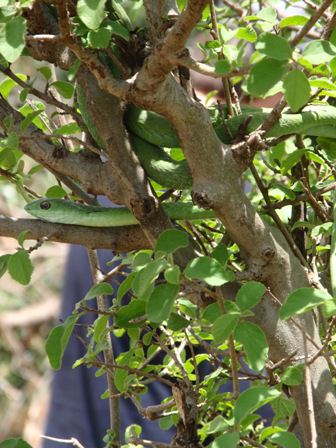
point(303, 300)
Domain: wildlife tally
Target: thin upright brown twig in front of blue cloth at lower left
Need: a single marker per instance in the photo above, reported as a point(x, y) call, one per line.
point(108, 353)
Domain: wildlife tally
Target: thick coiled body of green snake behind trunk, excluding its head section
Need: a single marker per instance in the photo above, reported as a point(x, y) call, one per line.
point(149, 132)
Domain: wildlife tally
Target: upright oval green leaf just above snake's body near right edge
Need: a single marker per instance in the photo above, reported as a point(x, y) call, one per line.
point(297, 89)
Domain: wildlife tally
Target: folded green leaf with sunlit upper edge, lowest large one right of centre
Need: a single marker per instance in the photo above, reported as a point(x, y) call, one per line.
point(252, 399)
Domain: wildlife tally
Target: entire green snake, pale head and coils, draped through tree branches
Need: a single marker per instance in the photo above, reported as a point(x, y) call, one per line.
point(149, 132)
